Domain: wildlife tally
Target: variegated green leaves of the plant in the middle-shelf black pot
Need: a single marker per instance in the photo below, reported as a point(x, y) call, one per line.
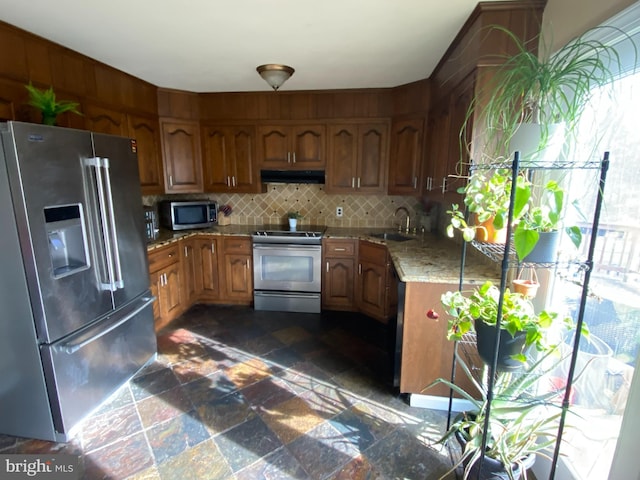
point(518, 315)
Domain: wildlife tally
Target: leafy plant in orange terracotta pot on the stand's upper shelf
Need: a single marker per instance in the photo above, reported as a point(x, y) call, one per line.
point(487, 196)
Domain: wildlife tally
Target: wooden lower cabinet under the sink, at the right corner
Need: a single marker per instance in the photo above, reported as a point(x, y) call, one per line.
point(375, 283)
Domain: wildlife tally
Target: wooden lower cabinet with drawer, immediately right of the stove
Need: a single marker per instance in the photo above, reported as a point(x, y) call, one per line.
point(338, 274)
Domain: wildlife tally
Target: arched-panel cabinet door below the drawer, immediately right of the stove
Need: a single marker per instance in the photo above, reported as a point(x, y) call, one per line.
point(338, 284)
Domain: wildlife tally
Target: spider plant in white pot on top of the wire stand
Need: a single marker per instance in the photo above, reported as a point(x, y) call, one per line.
point(539, 92)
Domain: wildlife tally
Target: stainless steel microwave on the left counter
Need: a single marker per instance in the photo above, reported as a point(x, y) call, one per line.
point(188, 215)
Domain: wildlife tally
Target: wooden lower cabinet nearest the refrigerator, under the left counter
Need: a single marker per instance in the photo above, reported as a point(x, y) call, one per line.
point(166, 283)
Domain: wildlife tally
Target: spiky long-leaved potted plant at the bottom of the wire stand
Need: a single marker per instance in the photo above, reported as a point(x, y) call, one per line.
point(523, 420)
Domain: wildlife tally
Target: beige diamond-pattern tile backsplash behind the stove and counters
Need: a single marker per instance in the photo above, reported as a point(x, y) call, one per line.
point(314, 204)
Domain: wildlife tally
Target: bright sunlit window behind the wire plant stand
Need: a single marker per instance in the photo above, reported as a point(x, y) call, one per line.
point(608, 358)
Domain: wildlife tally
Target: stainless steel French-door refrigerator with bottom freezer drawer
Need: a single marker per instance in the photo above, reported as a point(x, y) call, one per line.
point(76, 319)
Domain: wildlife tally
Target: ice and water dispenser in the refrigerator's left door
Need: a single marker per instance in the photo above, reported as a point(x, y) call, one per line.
point(67, 239)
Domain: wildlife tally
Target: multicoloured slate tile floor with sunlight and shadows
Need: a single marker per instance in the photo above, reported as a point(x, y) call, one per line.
point(242, 395)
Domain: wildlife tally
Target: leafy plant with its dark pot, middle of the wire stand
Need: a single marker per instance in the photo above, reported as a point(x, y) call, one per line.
point(521, 327)
